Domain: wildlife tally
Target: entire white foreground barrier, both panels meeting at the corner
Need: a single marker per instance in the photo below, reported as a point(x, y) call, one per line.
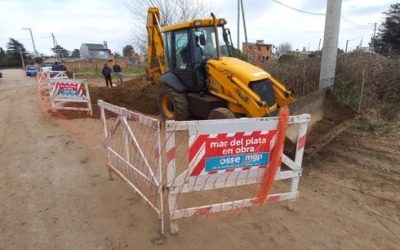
point(200, 156)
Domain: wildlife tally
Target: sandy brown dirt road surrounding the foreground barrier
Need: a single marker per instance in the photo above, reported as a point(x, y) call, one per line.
point(55, 192)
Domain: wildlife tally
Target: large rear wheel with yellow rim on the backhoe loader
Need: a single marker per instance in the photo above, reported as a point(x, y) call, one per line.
point(173, 105)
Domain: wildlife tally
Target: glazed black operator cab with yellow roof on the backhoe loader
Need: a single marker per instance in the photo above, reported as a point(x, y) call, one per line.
point(187, 49)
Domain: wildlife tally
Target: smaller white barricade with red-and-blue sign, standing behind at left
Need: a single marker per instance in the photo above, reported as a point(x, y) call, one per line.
point(70, 94)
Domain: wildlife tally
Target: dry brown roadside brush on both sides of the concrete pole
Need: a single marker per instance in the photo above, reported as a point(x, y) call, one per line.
point(368, 82)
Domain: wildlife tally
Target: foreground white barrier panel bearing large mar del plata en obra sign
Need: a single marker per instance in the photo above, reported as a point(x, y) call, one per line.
point(223, 154)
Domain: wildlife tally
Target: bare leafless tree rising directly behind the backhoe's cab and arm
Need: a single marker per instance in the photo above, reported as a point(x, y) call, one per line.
point(171, 11)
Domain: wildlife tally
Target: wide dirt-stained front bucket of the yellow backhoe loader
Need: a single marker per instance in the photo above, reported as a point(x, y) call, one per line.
point(329, 117)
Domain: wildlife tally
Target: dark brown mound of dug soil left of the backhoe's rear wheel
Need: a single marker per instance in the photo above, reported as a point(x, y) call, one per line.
point(137, 94)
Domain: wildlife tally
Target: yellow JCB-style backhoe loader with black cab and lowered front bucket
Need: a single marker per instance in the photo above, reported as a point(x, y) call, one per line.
point(193, 63)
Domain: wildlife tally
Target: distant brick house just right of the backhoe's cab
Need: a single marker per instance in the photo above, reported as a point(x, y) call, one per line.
point(258, 52)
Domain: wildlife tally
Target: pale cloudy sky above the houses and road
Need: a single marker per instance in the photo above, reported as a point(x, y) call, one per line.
point(74, 22)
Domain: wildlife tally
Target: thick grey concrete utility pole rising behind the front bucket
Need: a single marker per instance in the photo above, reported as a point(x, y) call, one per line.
point(331, 37)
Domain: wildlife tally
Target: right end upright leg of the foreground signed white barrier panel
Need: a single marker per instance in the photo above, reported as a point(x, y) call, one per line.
point(301, 140)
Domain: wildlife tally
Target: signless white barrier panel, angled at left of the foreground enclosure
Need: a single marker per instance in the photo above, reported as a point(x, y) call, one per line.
point(133, 145)
